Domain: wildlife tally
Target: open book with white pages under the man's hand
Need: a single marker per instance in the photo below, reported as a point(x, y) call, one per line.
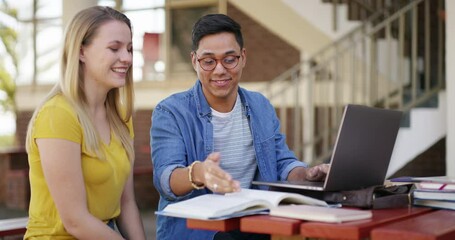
point(245, 202)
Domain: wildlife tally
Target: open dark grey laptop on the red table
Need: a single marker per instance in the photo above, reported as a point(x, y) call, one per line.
point(361, 154)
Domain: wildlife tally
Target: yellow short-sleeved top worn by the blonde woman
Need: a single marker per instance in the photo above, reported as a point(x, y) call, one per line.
point(104, 178)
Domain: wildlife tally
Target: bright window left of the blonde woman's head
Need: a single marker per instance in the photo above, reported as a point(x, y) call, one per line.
point(41, 51)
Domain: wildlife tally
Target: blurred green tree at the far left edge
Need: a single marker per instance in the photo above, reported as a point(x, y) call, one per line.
point(8, 70)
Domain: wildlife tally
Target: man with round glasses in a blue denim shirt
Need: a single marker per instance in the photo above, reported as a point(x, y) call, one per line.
point(217, 137)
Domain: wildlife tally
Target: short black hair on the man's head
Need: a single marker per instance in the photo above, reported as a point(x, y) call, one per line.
point(213, 24)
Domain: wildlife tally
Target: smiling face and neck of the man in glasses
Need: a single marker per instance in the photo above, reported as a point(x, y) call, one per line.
point(219, 85)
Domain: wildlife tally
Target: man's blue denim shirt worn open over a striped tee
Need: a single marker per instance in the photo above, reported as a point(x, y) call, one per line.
point(182, 133)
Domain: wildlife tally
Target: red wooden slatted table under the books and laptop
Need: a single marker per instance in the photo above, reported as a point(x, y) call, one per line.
point(401, 223)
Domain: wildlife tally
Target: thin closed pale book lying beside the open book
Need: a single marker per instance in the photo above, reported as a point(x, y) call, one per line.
point(320, 213)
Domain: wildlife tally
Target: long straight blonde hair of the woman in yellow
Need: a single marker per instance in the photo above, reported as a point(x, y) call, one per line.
point(119, 101)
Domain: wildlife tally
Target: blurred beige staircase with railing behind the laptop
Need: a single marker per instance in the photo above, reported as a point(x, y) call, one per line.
point(393, 59)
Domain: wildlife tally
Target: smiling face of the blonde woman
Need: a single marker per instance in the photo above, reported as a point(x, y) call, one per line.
point(108, 57)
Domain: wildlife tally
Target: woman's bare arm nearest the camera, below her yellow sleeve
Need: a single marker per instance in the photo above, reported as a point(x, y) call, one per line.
point(61, 163)
